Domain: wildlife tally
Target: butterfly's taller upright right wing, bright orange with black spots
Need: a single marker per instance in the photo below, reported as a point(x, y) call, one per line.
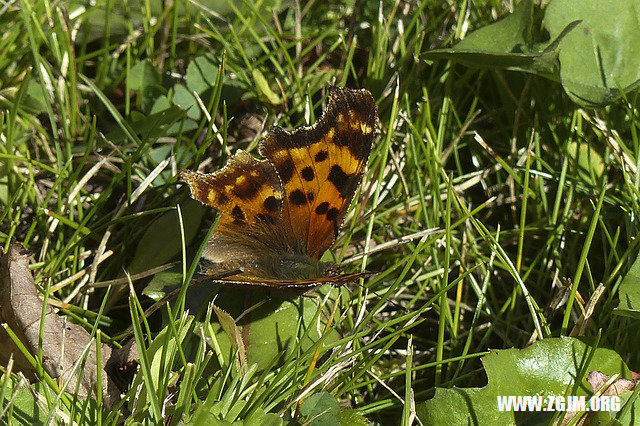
point(321, 166)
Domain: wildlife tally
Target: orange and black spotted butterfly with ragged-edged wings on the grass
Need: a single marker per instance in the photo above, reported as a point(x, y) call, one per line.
point(279, 215)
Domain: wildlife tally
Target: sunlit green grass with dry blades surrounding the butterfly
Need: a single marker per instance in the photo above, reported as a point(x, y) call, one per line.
point(528, 198)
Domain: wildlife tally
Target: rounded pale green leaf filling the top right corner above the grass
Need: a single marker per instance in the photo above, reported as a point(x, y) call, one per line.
point(600, 59)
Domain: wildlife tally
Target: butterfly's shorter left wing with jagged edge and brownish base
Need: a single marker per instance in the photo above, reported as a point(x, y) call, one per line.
point(248, 196)
